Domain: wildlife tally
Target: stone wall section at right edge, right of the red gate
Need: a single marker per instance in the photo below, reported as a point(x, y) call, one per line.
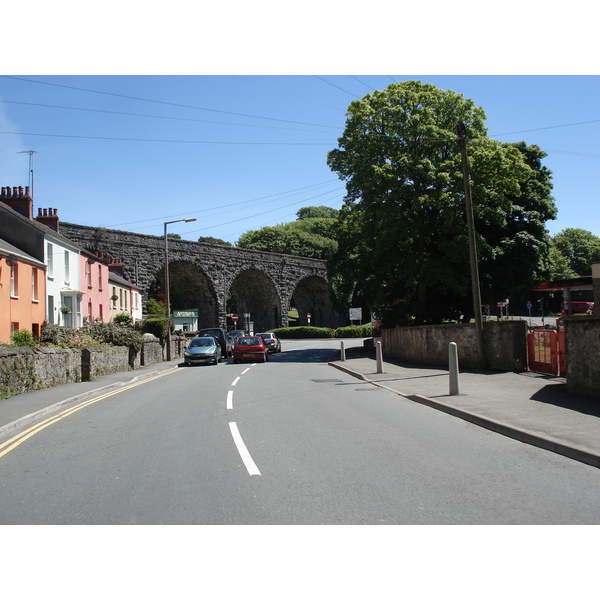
point(582, 341)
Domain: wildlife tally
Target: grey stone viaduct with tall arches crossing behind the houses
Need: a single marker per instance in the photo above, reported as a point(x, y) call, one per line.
point(214, 278)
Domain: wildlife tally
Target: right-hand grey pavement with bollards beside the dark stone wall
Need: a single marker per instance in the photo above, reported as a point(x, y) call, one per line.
point(530, 407)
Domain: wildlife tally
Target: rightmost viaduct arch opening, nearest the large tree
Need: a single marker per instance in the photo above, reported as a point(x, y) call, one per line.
point(312, 296)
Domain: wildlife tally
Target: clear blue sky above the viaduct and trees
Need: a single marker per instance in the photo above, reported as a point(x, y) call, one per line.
point(243, 152)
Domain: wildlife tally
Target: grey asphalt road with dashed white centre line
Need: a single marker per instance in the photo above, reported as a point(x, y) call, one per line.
point(292, 441)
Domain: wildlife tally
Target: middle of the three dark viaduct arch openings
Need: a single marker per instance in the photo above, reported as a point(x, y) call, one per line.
point(254, 292)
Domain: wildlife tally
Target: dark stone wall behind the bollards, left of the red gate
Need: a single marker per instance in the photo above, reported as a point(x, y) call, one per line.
point(505, 345)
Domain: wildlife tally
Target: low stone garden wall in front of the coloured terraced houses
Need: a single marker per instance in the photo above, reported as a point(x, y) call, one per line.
point(23, 369)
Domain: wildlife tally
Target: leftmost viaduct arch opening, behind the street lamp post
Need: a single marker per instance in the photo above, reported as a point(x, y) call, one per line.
point(190, 288)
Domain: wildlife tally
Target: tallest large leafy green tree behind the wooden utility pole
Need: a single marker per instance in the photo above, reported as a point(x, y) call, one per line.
point(402, 234)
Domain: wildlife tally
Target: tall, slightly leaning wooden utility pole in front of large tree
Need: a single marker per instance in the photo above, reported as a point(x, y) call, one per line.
point(462, 139)
